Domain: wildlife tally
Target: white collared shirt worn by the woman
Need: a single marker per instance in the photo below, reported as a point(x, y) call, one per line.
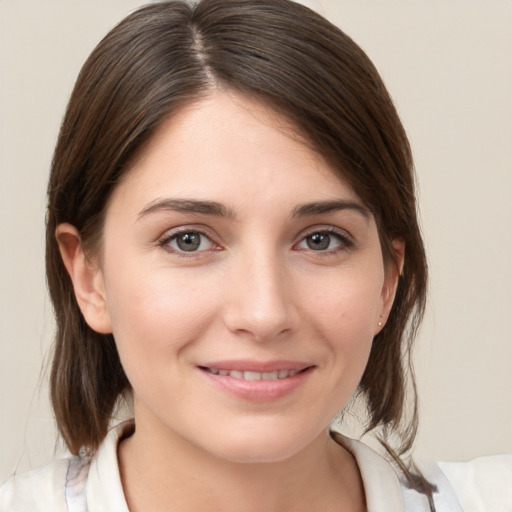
point(87, 483)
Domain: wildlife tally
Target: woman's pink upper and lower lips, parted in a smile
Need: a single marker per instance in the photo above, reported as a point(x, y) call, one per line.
point(258, 390)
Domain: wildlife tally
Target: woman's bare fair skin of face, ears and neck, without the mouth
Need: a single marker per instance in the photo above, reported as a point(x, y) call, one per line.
point(271, 280)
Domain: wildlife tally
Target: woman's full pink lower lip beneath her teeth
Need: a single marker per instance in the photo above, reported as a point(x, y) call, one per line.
point(258, 390)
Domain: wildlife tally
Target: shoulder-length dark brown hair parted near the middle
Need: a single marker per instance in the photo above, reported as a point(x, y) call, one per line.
point(168, 54)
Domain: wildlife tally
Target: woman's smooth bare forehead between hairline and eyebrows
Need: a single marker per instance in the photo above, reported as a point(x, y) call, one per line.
point(234, 149)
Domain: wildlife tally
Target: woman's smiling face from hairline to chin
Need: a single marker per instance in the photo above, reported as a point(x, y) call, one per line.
point(243, 281)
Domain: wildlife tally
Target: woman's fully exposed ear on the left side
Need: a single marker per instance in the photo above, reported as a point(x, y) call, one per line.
point(87, 279)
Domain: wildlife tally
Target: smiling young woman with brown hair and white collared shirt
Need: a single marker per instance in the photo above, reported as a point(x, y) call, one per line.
point(232, 242)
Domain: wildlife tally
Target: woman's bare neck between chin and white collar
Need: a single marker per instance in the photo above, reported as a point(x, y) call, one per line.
point(158, 471)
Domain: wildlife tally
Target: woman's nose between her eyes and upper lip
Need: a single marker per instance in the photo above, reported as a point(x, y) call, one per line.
point(261, 304)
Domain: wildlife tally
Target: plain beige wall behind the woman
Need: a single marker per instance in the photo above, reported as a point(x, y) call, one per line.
point(448, 65)
